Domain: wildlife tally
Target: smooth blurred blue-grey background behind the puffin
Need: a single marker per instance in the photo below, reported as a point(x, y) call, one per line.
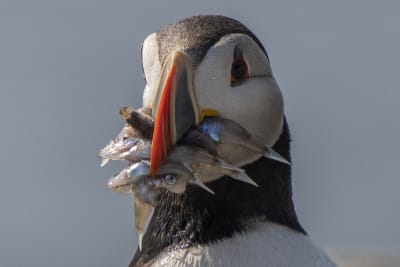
point(67, 66)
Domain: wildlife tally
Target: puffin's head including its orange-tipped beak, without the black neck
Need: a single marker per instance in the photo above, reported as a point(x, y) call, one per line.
point(204, 66)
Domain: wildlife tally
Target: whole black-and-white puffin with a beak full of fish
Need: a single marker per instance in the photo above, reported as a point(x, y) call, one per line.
point(213, 65)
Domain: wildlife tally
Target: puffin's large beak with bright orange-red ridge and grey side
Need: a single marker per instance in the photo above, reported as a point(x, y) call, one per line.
point(174, 107)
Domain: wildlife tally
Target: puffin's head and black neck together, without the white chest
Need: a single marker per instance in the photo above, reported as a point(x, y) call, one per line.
point(206, 66)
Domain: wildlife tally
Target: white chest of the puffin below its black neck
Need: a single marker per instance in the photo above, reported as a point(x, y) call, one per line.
point(267, 245)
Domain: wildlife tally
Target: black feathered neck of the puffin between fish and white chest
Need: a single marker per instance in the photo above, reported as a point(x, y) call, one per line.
point(197, 217)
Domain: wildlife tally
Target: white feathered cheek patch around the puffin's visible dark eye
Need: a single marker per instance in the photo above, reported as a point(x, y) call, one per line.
point(256, 103)
